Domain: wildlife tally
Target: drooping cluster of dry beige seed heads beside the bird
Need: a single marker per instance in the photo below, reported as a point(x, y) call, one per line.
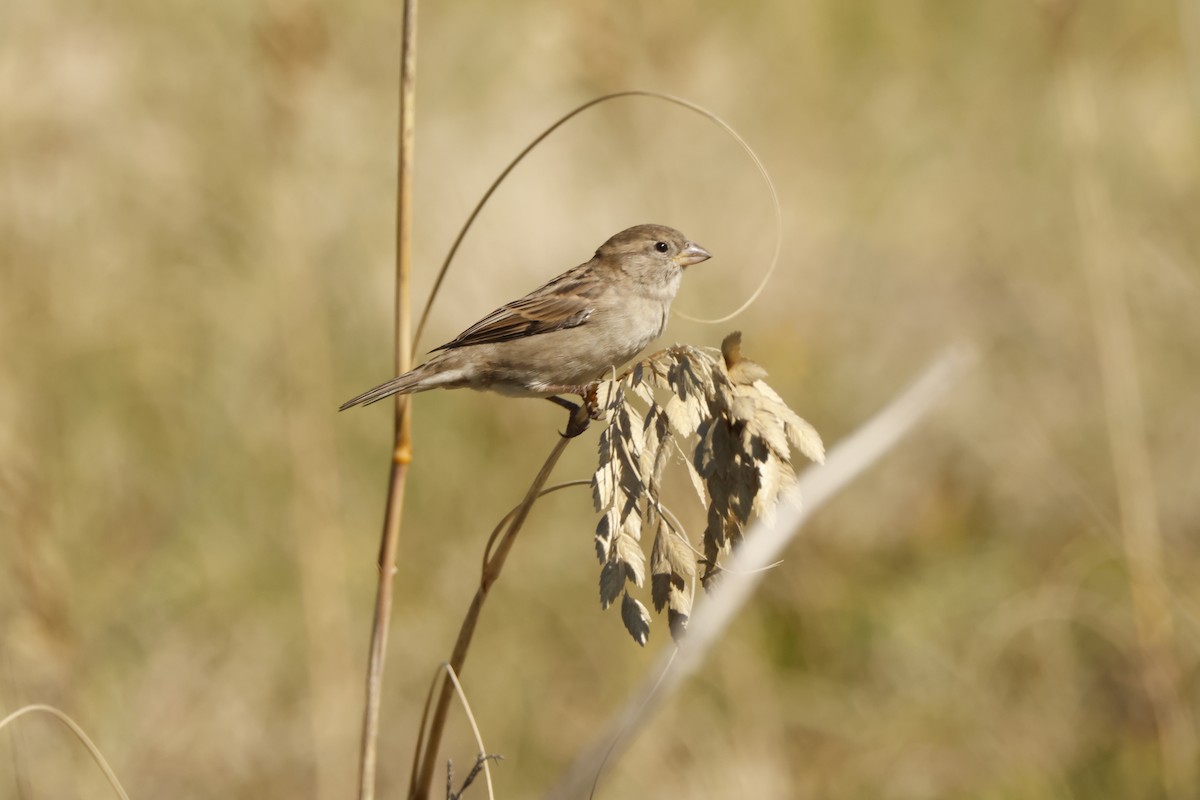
point(741, 437)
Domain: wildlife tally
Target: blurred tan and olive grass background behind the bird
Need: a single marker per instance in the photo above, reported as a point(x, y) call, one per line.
point(196, 243)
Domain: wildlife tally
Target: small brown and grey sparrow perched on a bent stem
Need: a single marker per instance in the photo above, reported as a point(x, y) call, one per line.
point(566, 335)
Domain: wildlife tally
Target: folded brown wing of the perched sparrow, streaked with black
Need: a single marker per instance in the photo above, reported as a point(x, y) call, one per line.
point(565, 303)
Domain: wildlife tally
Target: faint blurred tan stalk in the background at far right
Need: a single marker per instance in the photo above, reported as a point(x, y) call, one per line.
point(1141, 532)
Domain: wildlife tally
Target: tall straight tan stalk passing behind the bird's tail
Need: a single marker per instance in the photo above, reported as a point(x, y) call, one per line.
point(403, 449)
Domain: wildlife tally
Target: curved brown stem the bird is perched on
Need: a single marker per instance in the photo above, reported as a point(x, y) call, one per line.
point(428, 756)
